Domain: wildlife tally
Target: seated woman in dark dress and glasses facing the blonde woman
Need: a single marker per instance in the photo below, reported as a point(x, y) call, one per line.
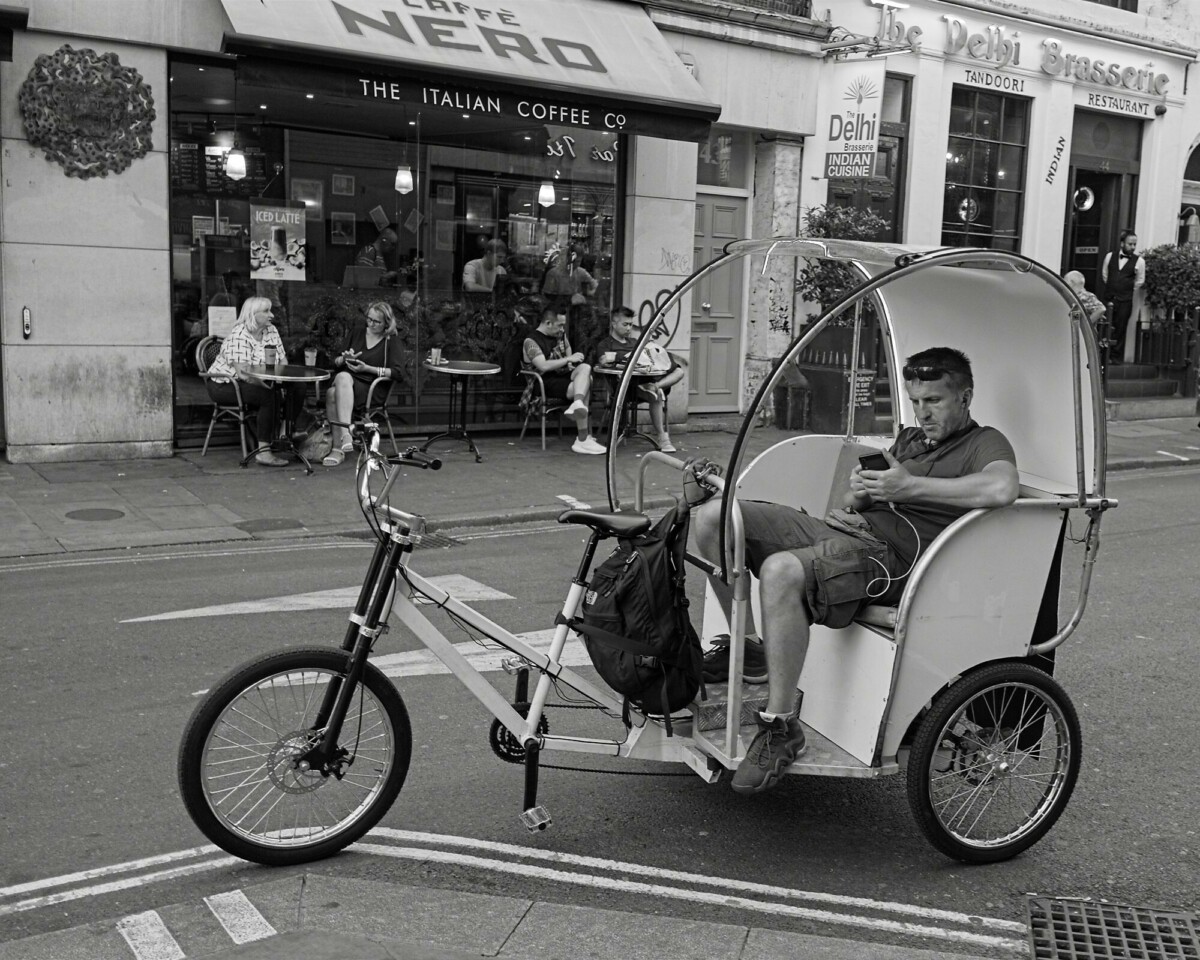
point(373, 351)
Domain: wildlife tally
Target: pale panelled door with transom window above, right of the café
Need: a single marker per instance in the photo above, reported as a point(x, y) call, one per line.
point(717, 309)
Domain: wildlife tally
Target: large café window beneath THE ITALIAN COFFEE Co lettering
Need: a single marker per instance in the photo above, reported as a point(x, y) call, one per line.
point(345, 202)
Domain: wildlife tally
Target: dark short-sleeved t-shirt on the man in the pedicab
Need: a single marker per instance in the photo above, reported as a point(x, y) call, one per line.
point(961, 457)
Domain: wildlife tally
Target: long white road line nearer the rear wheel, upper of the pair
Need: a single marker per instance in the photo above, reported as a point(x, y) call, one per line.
point(725, 884)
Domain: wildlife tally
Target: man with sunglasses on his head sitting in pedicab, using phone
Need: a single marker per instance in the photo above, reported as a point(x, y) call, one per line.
point(824, 572)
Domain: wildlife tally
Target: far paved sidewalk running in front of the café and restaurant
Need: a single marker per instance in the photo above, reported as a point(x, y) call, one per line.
point(63, 508)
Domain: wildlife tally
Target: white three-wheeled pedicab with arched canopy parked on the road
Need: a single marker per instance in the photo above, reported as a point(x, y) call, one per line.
point(299, 753)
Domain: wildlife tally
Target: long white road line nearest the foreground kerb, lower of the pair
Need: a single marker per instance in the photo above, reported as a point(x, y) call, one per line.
point(698, 897)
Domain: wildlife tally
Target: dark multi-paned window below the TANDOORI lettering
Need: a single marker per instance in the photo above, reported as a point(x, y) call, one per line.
point(986, 159)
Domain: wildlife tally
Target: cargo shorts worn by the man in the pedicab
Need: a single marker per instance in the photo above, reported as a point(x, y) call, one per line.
point(845, 568)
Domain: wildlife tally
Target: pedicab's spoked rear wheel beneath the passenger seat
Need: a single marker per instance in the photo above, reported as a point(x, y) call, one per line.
point(994, 763)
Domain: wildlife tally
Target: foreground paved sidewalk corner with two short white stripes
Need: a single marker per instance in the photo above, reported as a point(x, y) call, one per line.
point(325, 917)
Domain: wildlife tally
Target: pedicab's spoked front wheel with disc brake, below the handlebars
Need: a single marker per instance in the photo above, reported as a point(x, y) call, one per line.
point(242, 764)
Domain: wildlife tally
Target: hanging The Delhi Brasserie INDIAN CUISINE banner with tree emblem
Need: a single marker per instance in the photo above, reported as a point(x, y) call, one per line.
point(851, 105)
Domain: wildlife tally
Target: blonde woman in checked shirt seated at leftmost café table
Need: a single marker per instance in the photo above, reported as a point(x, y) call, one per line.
point(248, 344)
